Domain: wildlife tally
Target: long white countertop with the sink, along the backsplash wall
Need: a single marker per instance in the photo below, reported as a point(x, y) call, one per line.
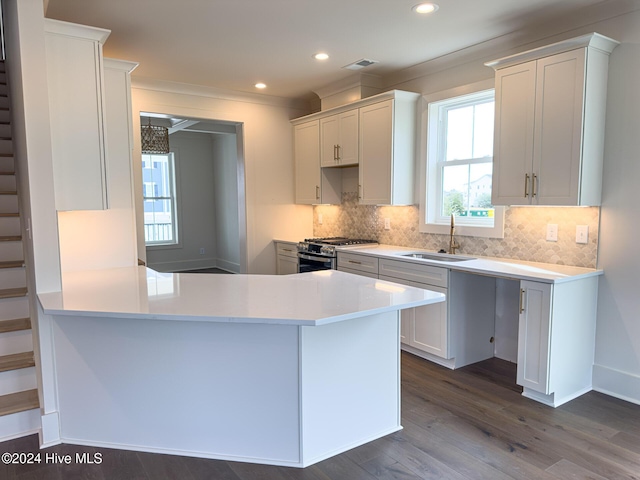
point(496, 267)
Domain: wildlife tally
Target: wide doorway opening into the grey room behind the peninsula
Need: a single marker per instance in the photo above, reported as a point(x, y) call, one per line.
point(194, 211)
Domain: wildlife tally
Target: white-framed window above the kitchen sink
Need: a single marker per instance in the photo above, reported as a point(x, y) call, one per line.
point(458, 165)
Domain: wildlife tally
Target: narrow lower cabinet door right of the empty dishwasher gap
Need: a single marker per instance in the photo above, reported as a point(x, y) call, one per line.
point(534, 336)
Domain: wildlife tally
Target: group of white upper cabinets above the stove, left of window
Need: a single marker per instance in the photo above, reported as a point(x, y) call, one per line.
point(377, 134)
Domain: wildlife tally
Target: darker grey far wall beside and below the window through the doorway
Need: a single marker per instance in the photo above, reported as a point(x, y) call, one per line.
point(196, 207)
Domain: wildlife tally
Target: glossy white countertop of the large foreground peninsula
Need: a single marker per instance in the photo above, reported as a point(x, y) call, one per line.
point(311, 299)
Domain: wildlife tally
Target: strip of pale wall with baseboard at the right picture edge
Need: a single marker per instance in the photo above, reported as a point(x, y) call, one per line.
point(617, 363)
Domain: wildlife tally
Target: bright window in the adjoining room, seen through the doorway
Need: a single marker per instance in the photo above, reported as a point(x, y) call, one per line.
point(160, 222)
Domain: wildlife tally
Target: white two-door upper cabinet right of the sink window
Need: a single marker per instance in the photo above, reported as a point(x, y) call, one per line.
point(549, 123)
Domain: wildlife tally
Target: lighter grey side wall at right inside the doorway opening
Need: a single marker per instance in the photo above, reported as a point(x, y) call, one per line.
point(225, 187)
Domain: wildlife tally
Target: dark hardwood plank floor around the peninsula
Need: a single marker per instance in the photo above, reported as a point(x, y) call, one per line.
point(471, 423)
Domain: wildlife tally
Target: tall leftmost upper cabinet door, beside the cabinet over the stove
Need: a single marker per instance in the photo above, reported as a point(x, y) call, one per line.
point(306, 140)
